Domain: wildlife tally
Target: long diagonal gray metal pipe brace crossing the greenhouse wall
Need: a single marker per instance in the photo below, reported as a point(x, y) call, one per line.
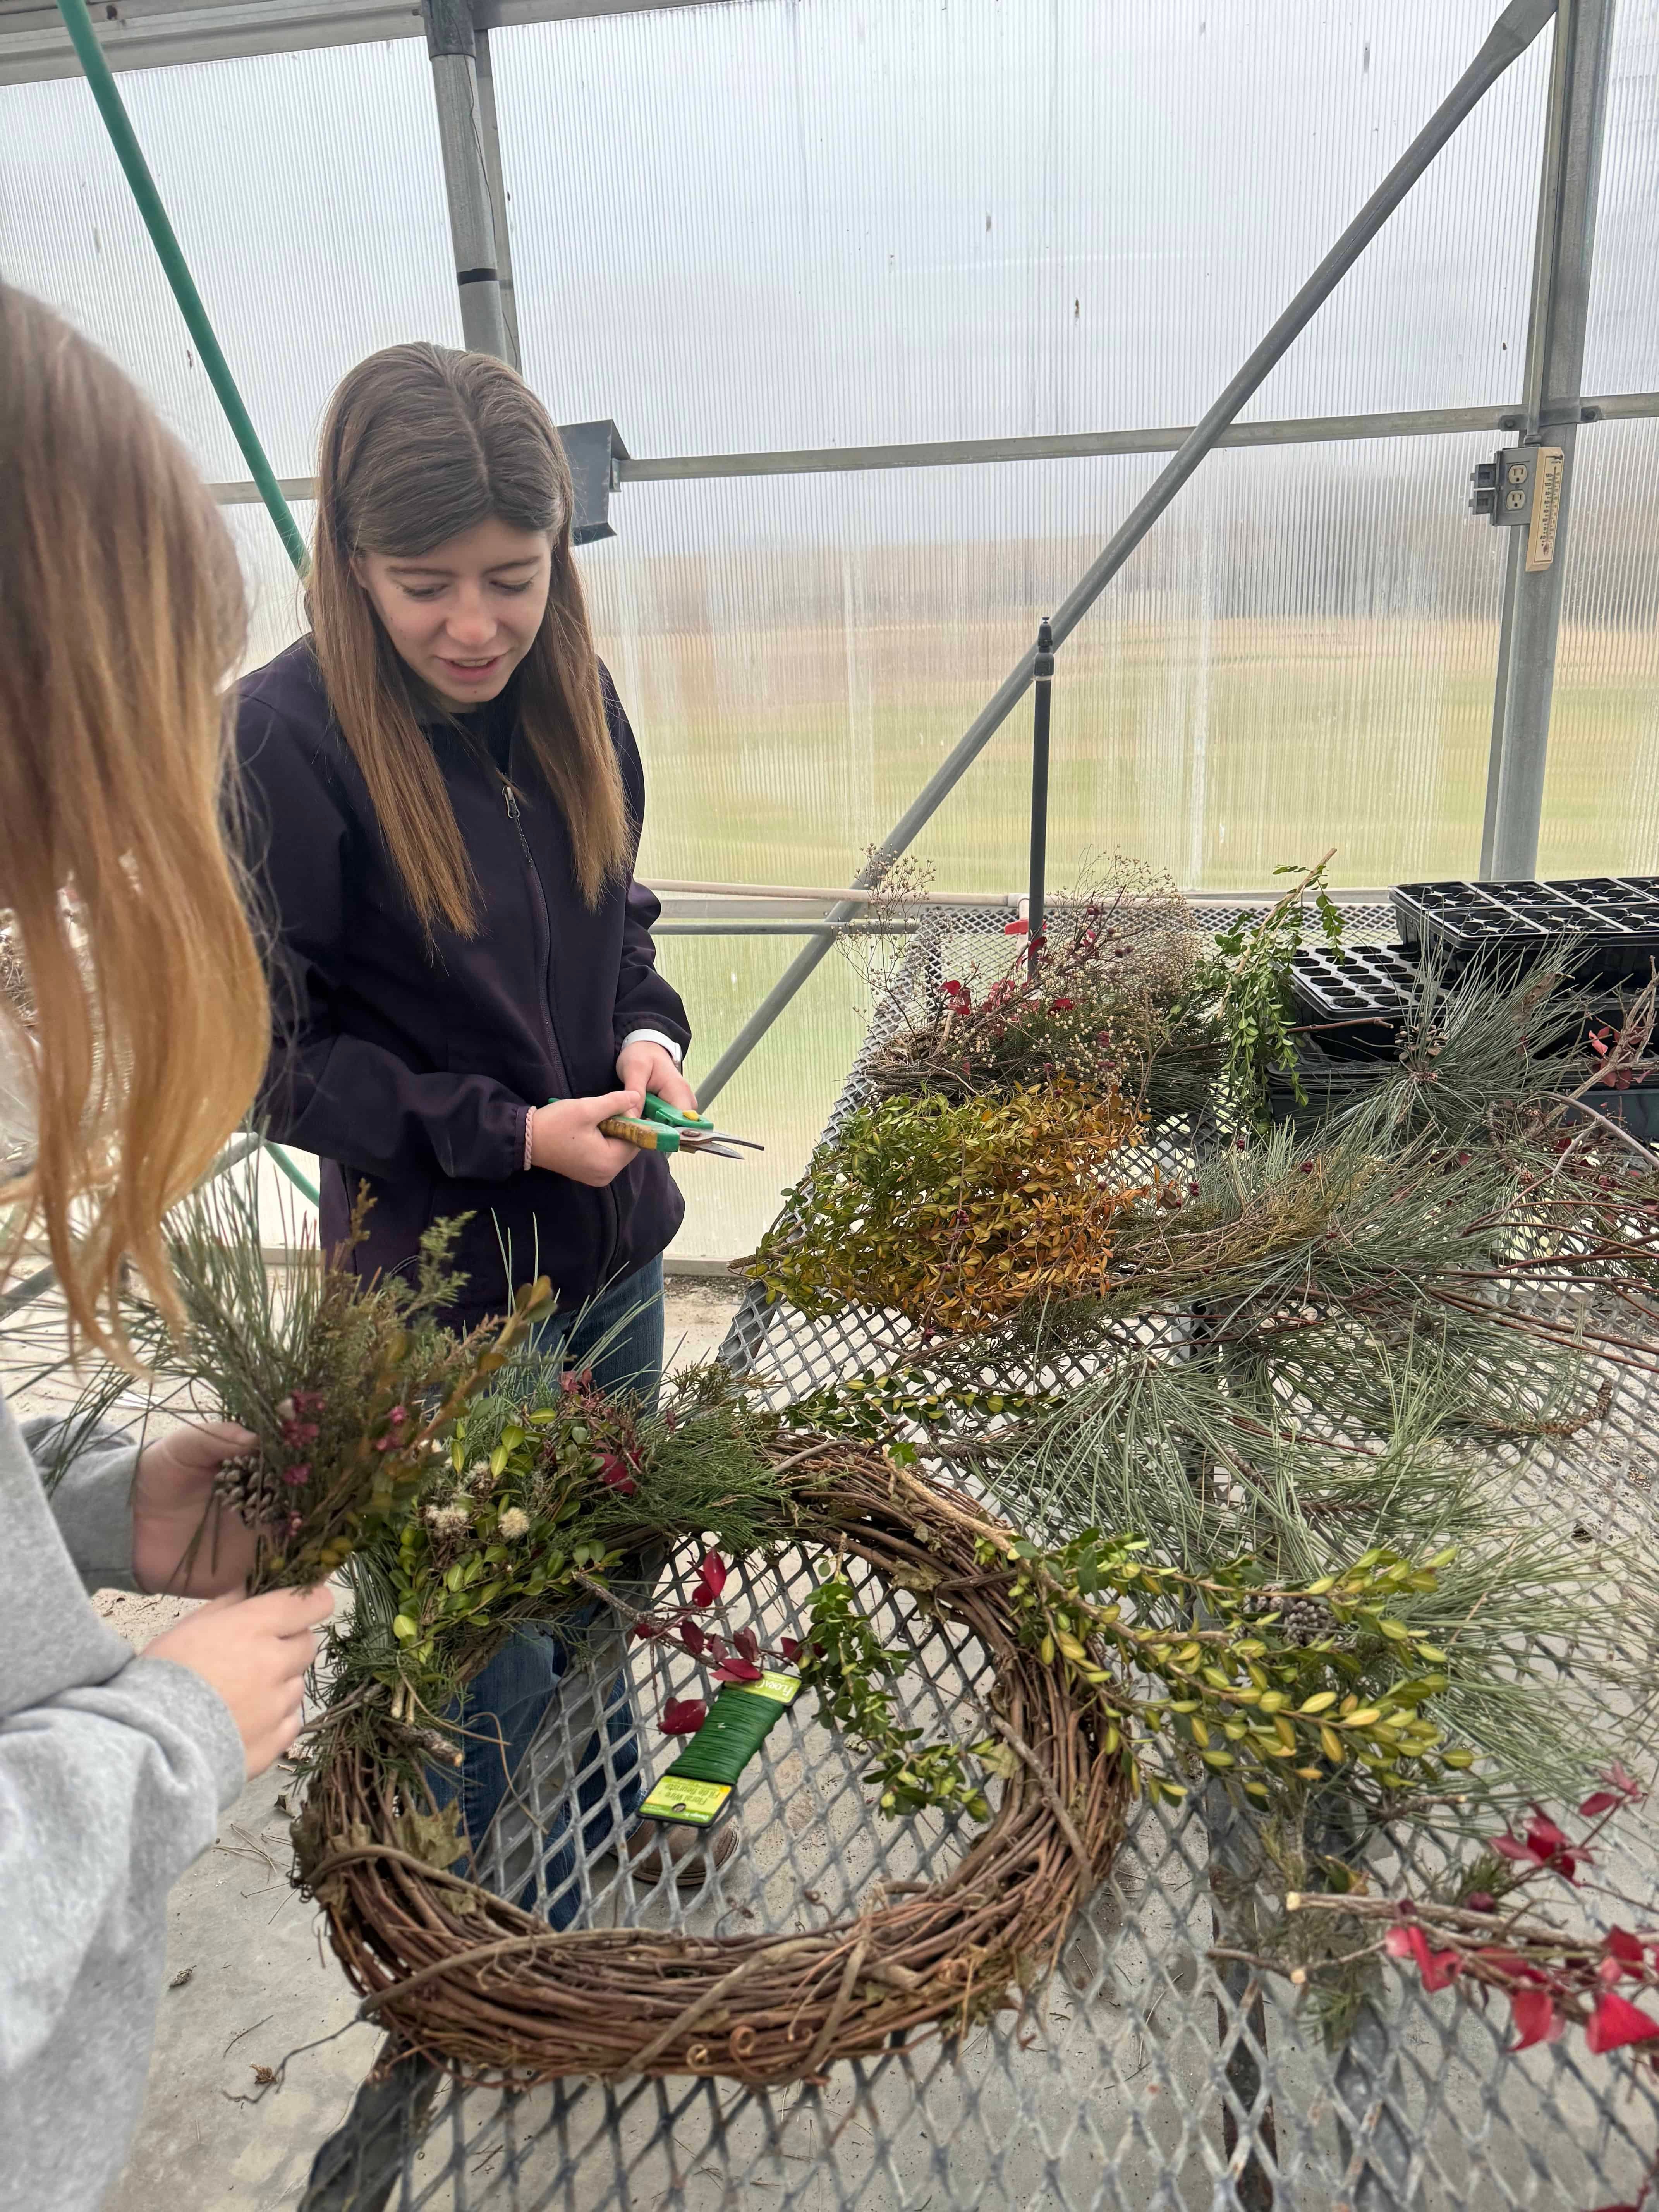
point(1501, 50)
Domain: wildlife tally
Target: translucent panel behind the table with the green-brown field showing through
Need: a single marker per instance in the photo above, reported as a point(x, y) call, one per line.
point(1302, 656)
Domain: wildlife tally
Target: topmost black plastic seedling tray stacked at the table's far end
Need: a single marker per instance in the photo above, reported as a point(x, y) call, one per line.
point(1614, 919)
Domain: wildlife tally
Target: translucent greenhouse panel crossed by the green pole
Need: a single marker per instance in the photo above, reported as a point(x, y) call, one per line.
point(309, 198)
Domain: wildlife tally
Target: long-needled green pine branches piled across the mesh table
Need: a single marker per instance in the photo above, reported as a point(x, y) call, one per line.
point(1313, 1350)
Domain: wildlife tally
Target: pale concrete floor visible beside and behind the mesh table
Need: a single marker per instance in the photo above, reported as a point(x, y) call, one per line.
point(251, 1979)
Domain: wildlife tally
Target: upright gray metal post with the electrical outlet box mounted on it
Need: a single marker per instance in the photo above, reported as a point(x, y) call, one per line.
point(1563, 260)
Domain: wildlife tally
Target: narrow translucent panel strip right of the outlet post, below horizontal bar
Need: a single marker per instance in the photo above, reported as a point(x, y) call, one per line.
point(1603, 778)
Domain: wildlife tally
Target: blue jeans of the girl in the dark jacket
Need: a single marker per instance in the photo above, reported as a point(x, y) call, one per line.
point(508, 1702)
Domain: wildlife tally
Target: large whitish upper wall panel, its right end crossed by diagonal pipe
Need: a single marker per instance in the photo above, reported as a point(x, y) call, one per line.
point(797, 225)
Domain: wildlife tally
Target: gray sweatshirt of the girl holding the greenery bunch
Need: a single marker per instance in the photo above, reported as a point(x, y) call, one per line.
point(114, 1773)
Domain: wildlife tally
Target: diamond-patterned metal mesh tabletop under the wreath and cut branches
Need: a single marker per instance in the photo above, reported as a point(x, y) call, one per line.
point(1142, 2078)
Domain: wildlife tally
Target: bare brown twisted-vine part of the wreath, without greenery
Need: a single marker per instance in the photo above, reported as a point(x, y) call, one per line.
point(492, 1994)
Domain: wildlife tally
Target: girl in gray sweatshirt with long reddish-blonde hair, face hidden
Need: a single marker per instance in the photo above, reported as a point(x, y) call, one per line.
point(134, 1034)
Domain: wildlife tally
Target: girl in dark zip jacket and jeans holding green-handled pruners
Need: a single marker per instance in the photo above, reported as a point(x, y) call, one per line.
point(446, 804)
